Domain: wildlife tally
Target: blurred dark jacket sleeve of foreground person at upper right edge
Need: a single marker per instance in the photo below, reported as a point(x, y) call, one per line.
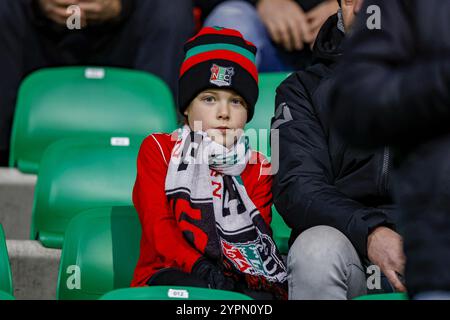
point(385, 92)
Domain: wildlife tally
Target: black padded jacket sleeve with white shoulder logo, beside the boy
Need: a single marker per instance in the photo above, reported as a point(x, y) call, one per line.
point(303, 189)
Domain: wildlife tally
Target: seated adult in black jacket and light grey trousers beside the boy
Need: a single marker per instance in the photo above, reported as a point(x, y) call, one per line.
point(335, 198)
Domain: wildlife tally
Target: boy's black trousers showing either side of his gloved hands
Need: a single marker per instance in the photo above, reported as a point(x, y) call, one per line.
point(175, 277)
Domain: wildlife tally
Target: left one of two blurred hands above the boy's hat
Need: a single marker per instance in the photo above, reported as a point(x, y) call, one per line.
point(286, 22)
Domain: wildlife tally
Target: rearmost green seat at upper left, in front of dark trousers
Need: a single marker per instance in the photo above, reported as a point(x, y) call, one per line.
point(82, 102)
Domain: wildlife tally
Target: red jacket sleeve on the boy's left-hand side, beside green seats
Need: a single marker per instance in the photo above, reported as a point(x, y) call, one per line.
point(156, 217)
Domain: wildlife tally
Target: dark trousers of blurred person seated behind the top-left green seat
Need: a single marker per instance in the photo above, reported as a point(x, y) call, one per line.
point(150, 39)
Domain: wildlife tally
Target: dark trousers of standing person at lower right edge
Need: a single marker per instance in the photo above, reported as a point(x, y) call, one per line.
point(422, 190)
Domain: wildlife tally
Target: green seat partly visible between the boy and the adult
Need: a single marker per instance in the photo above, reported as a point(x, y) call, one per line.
point(259, 140)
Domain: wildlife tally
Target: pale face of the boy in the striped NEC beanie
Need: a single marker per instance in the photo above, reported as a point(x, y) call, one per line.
point(221, 113)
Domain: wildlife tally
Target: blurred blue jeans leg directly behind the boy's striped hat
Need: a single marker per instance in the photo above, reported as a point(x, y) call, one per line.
point(243, 17)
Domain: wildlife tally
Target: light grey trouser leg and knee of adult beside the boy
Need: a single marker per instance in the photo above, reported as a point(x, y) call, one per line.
point(322, 263)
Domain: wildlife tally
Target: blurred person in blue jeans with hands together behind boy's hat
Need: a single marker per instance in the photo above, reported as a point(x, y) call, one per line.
point(282, 30)
